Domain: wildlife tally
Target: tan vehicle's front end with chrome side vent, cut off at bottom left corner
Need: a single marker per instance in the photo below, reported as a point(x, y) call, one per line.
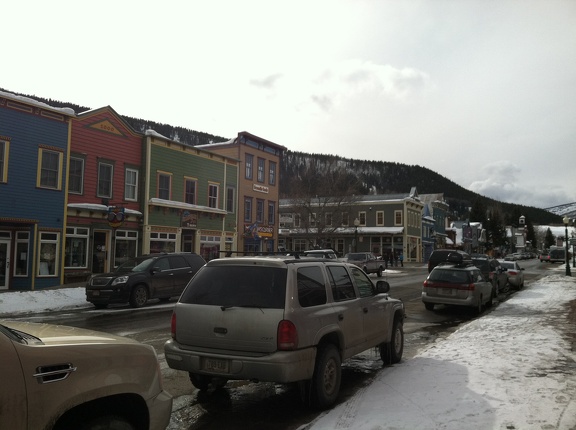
point(57, 377)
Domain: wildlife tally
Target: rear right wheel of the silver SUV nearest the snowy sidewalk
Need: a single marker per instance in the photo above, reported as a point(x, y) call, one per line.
point(327, 376)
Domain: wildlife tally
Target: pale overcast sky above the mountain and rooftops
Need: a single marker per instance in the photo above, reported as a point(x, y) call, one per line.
point(481, 92)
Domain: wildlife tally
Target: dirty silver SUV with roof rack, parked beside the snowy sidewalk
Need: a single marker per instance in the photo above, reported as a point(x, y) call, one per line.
point(282, 319)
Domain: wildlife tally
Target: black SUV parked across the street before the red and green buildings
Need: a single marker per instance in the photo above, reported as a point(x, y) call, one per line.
point(142, 278)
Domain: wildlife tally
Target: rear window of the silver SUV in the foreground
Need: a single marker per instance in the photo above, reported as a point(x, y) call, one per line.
point(244, 286)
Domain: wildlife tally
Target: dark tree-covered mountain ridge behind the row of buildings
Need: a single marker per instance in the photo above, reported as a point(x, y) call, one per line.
point(382, 177)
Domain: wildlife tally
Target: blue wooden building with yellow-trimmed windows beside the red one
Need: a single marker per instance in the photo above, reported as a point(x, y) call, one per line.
point(34, 152)
